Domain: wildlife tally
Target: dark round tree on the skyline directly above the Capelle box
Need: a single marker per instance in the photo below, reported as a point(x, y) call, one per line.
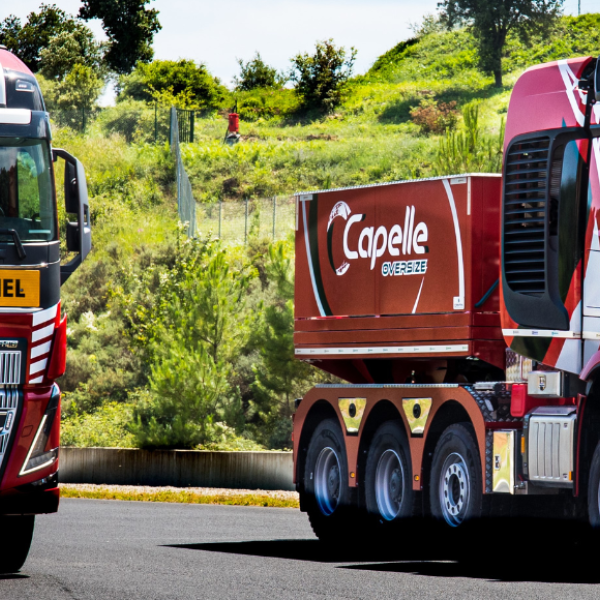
point(319, 78)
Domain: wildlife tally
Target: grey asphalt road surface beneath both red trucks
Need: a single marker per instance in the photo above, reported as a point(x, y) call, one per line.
point(109, 550)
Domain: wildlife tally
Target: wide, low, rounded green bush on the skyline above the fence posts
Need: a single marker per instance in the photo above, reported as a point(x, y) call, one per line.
point(181, 82)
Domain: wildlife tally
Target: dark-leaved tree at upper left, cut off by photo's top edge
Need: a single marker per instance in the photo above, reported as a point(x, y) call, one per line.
point(130, 28)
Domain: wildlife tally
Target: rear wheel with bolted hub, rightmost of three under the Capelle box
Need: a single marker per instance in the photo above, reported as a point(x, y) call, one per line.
point(455, 484)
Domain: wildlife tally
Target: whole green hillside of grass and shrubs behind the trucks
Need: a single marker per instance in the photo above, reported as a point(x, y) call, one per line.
point(170, 336)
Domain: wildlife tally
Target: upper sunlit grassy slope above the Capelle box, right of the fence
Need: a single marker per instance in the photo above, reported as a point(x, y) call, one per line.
point(371, 137)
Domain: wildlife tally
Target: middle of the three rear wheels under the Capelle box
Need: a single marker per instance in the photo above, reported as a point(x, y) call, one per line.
point(388, 482)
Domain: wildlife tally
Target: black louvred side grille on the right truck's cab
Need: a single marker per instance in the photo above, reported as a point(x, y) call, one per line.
point(525, 206)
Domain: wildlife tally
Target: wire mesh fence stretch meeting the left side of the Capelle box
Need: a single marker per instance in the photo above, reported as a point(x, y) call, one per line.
point(236, 221)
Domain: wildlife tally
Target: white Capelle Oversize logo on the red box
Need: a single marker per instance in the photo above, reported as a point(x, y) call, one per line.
point(374, 243)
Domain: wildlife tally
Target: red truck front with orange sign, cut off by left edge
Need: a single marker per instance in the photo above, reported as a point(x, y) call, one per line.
point(33, 336)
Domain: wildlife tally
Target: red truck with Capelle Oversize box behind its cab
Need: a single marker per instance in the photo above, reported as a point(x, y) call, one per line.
point(464, 311)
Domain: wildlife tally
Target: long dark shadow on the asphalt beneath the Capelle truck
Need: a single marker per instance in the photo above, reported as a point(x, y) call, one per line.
point(551, 558)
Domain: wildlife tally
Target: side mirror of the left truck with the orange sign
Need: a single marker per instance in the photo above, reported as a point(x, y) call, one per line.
point(79, 233)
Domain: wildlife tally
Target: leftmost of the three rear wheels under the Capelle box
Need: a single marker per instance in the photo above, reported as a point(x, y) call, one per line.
point(326, 483)
